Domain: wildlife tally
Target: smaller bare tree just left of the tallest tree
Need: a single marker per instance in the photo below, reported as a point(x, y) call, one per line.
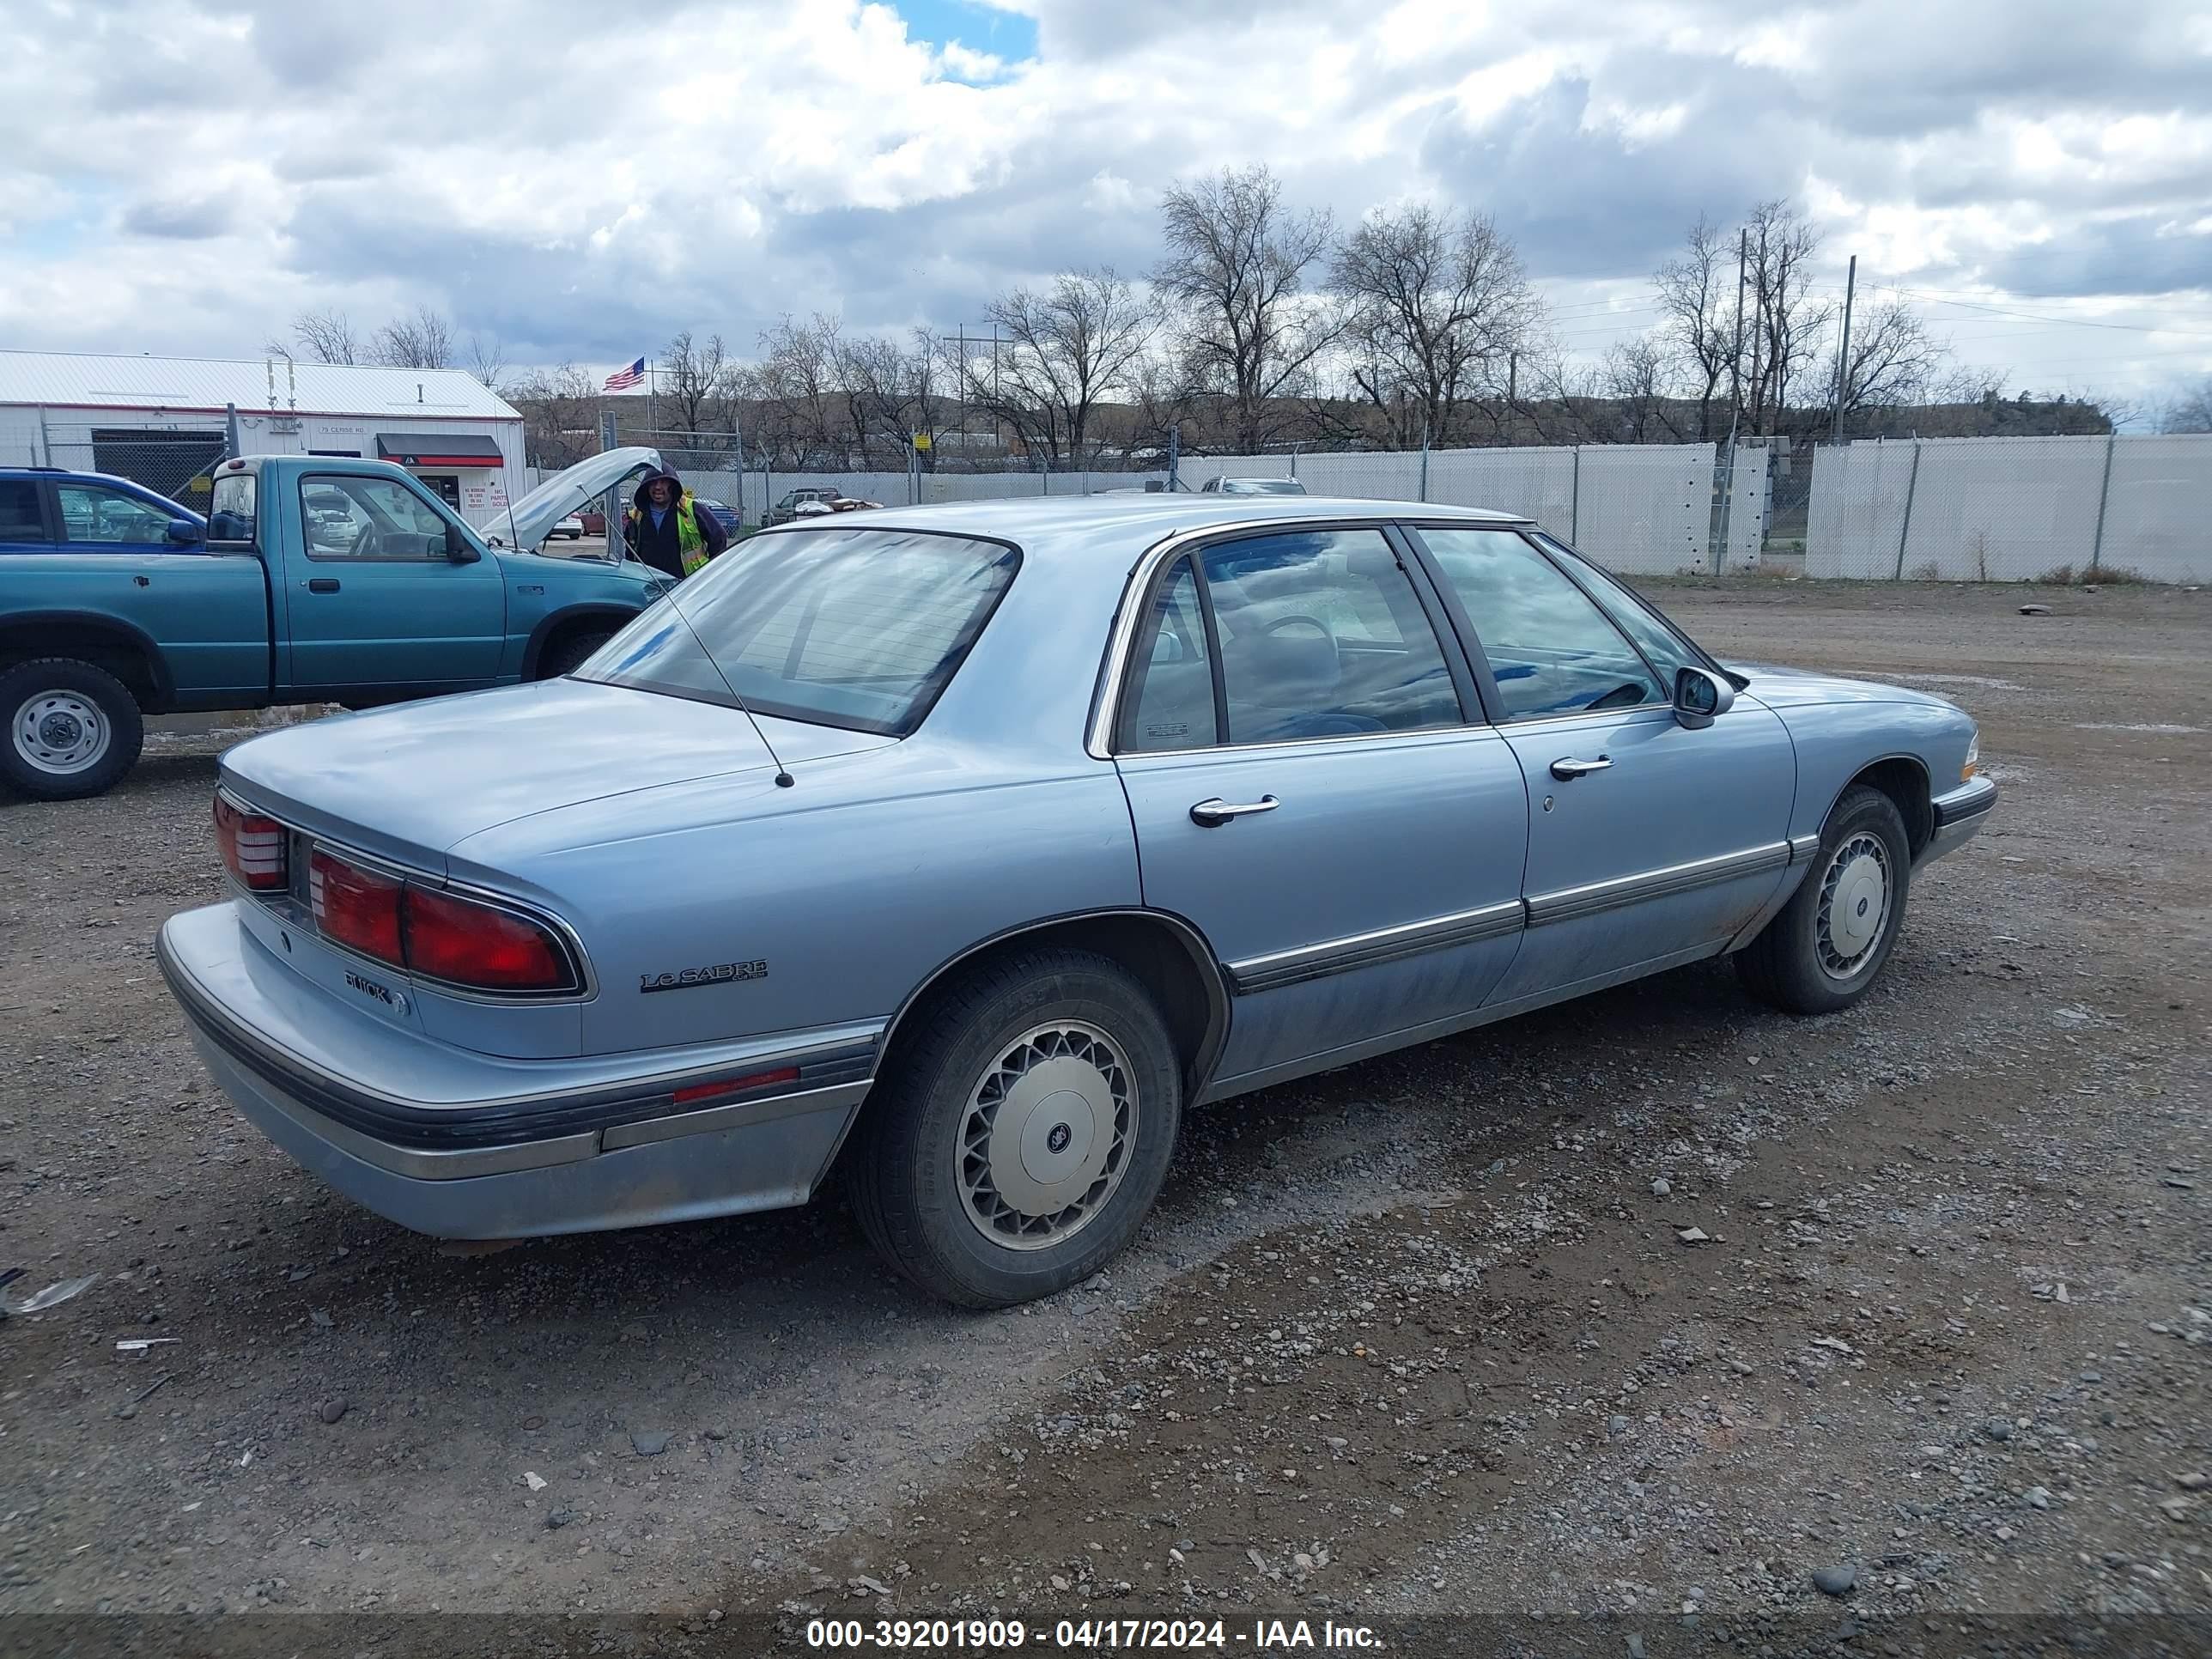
point(1065, 351)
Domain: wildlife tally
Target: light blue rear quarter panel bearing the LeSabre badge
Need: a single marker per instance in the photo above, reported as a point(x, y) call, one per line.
point(839, 895)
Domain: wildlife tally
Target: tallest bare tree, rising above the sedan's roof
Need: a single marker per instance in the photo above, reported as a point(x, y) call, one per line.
point(1235, 273)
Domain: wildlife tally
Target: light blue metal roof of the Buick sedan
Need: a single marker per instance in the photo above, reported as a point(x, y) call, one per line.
point(1136, 521)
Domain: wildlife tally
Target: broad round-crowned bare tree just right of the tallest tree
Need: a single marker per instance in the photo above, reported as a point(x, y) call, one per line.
point(1434, 309)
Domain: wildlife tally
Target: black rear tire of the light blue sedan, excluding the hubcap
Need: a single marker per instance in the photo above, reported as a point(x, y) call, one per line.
point(906, 1180)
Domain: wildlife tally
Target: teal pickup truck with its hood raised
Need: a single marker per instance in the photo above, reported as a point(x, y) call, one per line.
point(315, 581)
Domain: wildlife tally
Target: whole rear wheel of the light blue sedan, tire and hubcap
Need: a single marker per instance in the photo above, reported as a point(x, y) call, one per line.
point(1019, 1140)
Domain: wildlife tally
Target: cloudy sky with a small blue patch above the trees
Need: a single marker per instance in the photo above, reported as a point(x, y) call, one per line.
point(583, 180)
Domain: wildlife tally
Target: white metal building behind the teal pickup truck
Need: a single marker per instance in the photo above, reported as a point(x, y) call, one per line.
point(165, 419)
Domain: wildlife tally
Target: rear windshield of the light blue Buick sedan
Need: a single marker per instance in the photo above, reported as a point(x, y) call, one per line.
point(859, 629)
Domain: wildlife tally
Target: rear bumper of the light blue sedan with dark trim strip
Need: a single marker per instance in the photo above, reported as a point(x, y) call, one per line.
point(474, 1147)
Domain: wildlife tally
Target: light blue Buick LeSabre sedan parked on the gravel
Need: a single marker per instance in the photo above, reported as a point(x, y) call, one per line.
point(968, 846)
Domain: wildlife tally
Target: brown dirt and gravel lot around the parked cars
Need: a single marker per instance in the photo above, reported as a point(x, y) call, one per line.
point(1415, 1339)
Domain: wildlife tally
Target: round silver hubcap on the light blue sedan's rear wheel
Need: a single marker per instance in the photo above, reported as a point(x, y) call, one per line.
point(1047, 1134)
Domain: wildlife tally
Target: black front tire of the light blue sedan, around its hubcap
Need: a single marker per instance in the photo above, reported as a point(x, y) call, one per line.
point(1795, 966)
